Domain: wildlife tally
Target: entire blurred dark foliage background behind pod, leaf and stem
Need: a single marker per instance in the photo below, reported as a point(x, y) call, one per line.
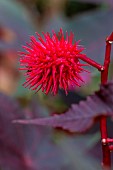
point(32, 147)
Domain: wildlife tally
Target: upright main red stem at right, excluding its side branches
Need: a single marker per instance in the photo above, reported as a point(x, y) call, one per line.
point(103, 122)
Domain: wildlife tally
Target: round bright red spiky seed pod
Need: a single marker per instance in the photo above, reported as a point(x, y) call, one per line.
point(52, 63)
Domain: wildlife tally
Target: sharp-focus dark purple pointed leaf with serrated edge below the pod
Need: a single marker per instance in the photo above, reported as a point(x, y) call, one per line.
point(81, 116)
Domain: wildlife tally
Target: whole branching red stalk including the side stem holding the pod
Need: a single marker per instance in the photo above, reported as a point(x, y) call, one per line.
point(103, 125)
